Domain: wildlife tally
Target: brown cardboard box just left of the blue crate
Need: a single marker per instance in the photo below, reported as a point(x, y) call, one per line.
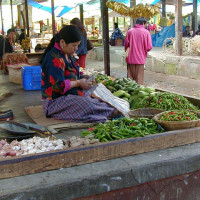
point(15, 72)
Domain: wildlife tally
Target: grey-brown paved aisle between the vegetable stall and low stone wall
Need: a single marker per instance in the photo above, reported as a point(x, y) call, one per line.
point(177, 84)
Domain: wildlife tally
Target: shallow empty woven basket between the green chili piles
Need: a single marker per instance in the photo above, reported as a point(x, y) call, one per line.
point(144, 112)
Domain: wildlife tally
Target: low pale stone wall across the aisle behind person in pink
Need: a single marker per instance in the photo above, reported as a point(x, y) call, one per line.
point(157, 61)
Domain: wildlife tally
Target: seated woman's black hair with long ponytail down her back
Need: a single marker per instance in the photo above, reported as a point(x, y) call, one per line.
point(69, 34)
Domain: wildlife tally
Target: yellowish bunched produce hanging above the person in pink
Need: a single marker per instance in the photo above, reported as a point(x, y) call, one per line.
point(140, 10)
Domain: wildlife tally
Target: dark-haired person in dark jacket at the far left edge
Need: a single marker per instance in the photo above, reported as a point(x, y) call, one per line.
point(6, 45)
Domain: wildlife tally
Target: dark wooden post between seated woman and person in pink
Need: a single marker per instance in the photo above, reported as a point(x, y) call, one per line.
point(105, 40)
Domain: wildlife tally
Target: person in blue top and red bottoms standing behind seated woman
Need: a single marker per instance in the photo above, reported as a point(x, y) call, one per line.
point(82, 48)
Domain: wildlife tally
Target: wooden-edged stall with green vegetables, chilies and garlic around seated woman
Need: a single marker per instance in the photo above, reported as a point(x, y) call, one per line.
point(114, 139)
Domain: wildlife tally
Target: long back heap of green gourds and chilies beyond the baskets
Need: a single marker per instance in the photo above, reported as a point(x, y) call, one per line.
point(144, 97)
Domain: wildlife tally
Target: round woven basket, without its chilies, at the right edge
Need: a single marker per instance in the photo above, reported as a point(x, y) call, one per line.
point(176, 125)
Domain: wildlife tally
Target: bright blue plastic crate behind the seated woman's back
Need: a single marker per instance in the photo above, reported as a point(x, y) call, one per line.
point(31, 76)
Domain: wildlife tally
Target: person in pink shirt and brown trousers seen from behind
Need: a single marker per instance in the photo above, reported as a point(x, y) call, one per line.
point(138, 42)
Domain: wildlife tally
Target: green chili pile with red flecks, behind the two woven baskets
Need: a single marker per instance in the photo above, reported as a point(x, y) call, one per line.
point(165, 101)
